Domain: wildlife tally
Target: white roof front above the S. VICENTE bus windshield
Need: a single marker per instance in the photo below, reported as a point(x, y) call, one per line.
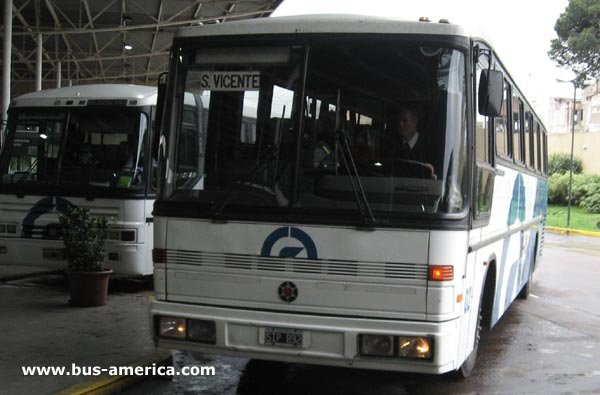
point(335, 23)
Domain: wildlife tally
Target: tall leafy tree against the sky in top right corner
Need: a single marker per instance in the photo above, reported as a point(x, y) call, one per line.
point(578, 42)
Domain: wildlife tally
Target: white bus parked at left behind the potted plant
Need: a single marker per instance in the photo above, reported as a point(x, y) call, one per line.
point(84, 146)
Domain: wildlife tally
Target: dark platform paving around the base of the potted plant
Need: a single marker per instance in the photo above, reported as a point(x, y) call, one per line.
point(39, 328)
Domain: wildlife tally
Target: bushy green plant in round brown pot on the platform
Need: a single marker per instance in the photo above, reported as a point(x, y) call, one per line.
point(83, 238)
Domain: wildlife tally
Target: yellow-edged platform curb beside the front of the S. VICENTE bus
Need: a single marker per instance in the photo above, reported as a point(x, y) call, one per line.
point(108, 385)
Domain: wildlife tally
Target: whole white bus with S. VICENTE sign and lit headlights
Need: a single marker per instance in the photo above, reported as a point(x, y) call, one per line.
point(318, 241)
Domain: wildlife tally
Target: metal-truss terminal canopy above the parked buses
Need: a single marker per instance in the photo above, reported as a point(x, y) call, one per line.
point(108, 41)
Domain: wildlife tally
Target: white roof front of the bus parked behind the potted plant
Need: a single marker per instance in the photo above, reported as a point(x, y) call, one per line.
point(135, 95)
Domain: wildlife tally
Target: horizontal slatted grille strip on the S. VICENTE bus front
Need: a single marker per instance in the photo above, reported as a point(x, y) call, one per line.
point(220, 261)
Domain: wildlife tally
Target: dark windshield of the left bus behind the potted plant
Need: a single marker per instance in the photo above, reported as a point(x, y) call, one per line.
point(92, 147)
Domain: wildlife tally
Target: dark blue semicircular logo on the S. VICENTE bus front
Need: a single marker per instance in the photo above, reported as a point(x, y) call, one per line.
point(289, 242)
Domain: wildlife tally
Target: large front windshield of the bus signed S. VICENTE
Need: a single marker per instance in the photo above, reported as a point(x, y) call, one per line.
point(372, 130)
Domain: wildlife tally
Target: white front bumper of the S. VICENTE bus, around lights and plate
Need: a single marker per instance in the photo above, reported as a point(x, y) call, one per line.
point(327, 340)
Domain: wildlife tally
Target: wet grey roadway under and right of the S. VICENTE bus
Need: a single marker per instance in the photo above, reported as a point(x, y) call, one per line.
point(548, 344)
